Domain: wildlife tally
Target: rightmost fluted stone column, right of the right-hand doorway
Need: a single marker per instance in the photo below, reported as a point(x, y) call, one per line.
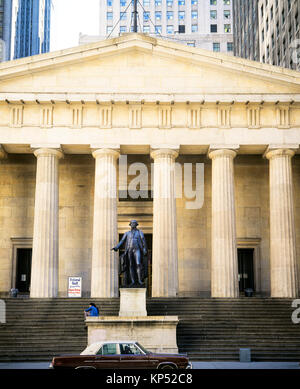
point(282, 227)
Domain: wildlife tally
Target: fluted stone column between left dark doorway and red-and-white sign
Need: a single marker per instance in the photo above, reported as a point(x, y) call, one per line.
point(44, 273)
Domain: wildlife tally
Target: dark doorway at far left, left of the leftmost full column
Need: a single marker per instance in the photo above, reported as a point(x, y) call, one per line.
point(23, 269)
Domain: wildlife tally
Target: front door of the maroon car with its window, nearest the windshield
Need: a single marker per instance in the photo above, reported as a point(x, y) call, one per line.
point(132, 357)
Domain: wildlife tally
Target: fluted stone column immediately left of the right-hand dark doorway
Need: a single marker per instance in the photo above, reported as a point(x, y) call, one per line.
point(224, 264)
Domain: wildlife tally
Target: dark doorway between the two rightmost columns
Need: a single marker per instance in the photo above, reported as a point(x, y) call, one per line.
point(246, 269)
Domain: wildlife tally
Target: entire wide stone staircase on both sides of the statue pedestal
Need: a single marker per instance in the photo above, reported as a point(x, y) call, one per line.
point(209, 329)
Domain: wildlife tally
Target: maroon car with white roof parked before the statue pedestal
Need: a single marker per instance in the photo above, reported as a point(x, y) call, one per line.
point(120, 355)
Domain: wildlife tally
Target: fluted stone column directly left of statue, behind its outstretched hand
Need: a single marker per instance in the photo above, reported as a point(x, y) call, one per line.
point(105, 231)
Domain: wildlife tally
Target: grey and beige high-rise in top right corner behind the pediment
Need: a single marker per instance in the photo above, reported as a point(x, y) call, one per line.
point(268, 31)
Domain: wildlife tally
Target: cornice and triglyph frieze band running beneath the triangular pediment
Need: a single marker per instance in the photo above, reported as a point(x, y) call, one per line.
point(138, 112)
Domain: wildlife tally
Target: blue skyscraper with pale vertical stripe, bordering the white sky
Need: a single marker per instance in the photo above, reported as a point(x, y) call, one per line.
point(32, 34)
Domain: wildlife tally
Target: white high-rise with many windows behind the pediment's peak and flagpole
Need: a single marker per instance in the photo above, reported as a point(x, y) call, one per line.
point(202, 23)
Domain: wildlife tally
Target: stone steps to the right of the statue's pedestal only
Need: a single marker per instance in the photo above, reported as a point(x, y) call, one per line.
point(215, 329)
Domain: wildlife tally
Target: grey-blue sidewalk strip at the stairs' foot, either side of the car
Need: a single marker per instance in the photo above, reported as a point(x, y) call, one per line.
point(196, 365)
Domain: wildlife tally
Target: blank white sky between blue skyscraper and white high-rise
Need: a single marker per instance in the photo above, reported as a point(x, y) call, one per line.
point(69, 18)
